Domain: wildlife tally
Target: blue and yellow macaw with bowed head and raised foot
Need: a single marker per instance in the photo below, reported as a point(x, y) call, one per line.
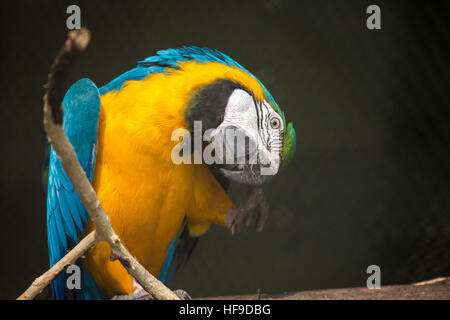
point(122, 137)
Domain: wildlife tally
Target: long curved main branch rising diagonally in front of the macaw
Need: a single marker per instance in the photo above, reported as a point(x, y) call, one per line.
point(76, 43)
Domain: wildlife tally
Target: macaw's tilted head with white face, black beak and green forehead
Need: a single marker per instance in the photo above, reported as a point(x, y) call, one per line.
point(247, 129)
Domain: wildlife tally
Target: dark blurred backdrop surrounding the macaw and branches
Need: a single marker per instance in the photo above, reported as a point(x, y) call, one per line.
point(369, 184)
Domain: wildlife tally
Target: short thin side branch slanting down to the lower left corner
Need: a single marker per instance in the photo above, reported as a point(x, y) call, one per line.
point(44, 280)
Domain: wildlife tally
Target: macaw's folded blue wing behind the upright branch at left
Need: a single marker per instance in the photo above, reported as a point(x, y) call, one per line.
point(66, 216)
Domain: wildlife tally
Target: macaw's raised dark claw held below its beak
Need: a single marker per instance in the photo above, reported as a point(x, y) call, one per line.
point(240, 218)
